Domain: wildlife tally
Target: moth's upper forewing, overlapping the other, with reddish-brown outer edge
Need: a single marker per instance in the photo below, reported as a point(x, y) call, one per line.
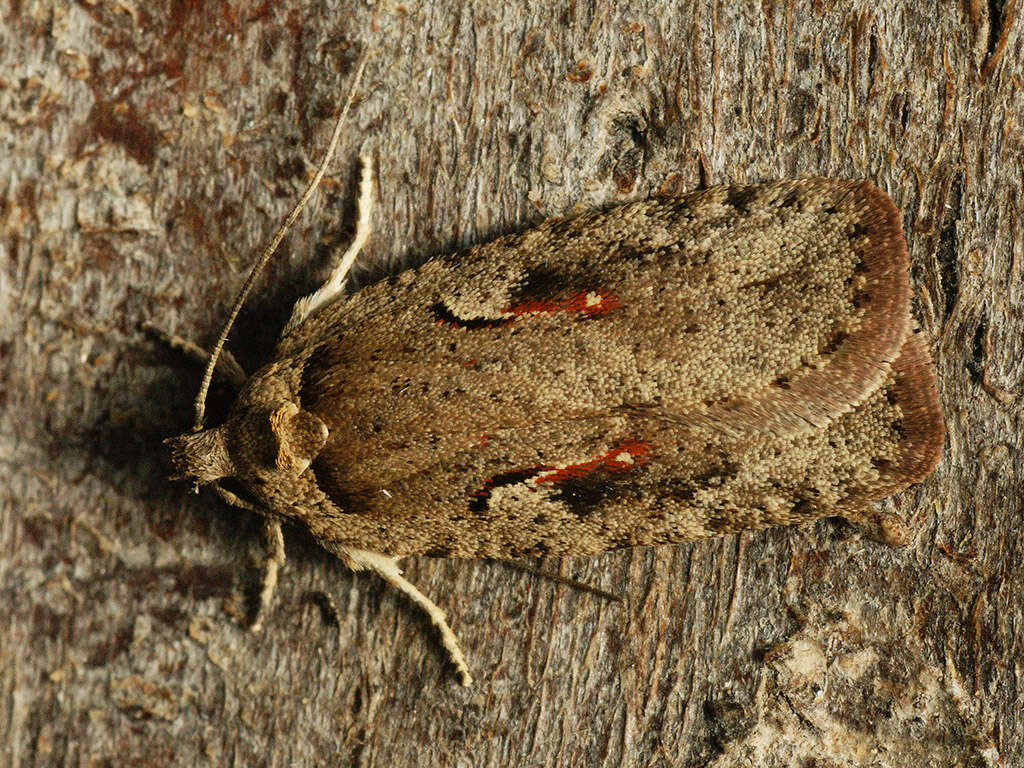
point(763, 308)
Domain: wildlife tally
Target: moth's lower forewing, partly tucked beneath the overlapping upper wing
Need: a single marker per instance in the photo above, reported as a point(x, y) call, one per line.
point(633, 481)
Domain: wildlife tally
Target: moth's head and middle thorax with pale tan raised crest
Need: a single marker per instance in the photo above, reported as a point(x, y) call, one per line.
point(261, 442)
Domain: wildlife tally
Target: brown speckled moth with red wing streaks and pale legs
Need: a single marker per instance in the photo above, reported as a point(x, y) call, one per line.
point(660, 372)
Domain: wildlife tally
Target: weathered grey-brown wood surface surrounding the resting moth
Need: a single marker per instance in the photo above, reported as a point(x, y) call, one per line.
point(150, 149)
